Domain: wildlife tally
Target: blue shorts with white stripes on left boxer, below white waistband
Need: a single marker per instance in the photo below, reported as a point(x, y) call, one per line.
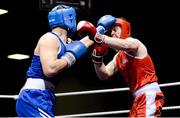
point(35, 103)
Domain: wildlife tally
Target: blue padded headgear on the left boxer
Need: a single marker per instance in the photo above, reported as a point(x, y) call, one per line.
point(63, 16)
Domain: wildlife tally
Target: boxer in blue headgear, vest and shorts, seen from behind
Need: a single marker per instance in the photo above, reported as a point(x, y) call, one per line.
point(54, 52)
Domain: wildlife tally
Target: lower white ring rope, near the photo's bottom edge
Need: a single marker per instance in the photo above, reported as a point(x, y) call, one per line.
point(114, 112)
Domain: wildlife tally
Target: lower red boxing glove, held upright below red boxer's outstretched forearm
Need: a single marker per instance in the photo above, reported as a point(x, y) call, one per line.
point(98, 52)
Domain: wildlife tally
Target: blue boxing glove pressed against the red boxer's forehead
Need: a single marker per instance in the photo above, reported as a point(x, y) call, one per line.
point(105, 23)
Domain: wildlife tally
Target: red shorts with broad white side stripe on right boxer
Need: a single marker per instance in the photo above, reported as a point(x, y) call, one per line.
point(148, 102)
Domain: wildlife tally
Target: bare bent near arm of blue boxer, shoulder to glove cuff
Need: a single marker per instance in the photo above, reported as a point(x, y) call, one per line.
point(48, 49)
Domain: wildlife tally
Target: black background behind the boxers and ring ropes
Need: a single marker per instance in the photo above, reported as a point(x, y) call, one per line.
point(155, 24)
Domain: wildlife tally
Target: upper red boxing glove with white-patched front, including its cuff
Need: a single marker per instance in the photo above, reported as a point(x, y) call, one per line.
point(87, 28)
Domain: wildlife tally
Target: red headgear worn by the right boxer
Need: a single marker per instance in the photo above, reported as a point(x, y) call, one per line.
point(125, 26)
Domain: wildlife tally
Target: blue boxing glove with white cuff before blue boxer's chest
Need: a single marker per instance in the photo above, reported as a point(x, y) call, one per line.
point(74, 51)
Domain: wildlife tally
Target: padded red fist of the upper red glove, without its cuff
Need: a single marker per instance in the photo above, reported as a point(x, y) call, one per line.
point(86, 28)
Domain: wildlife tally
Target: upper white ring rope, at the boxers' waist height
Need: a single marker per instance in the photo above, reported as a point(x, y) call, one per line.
point(94, 91)
